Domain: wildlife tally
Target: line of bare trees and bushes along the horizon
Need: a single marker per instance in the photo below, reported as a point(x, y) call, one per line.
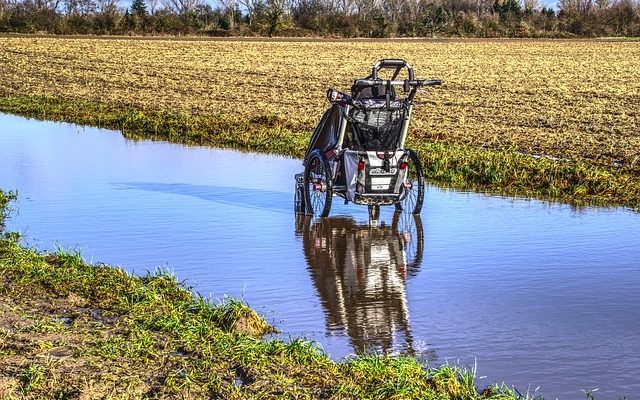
point(328, 18)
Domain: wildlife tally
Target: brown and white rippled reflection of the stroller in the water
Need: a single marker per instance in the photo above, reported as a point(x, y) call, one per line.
point(360, 272)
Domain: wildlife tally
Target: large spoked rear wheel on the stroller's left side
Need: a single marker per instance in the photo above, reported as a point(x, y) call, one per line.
point(318, 187)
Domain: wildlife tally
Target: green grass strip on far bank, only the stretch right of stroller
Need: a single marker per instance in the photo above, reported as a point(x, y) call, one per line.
point(511, 173)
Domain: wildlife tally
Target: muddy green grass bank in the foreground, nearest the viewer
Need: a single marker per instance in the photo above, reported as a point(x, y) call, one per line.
point(69, 329)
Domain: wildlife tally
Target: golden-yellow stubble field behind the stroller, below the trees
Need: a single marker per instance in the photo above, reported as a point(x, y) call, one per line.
point(575, 100)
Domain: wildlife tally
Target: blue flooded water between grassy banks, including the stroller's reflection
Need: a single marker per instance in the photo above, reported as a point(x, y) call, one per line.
point(535, 294)
